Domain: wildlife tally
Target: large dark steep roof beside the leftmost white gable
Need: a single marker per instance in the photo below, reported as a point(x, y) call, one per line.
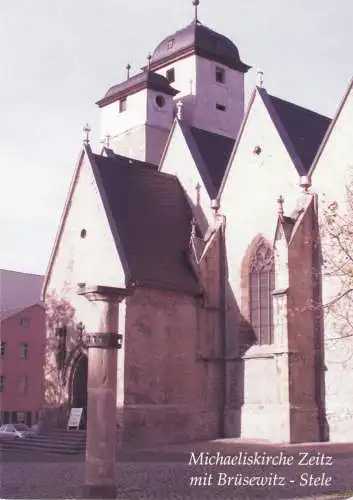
point(151, 220)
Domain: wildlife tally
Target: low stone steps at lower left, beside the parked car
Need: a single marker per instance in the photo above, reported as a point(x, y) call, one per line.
point(62, 442)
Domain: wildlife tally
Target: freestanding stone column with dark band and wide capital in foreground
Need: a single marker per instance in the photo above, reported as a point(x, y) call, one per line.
point(101, 391)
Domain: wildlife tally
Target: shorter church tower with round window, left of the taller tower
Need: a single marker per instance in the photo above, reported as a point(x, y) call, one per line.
point(137, 115)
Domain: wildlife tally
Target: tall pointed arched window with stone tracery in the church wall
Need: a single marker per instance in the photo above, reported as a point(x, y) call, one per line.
point(262, 282)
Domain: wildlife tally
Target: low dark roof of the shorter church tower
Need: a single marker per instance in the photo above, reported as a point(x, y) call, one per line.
point(146, 79)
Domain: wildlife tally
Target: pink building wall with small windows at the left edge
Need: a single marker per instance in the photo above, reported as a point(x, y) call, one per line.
point(22, 394)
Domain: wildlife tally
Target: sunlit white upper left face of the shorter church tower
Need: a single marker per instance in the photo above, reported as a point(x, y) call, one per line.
point(114, 123)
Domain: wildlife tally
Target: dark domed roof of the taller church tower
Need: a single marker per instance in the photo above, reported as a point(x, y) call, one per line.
point(202, 41)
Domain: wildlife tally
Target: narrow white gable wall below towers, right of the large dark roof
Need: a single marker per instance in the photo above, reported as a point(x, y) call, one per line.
point(179, 161)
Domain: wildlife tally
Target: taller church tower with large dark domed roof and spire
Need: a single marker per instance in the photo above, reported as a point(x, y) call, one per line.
point(207, 70)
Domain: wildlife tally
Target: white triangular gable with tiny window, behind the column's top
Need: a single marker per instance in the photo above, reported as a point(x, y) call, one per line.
point(92, 259)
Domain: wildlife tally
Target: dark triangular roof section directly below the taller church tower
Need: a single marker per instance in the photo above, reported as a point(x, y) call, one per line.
point(211, 153)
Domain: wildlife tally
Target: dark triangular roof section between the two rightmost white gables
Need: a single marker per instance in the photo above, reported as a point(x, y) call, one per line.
point(305, 129)
